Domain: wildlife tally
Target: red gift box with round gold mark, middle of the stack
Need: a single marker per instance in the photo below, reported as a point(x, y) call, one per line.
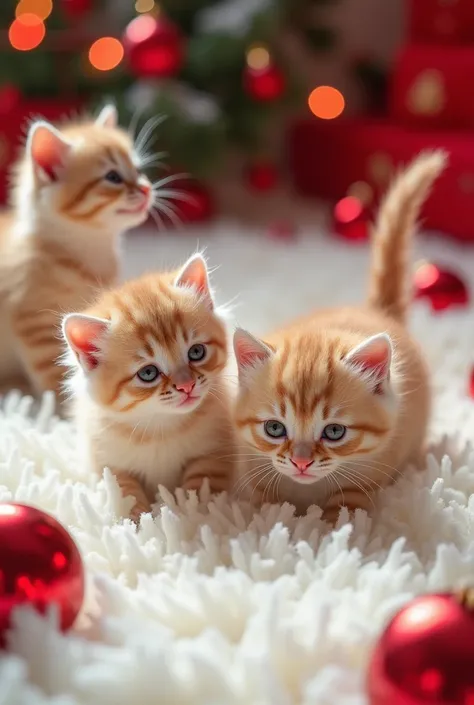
point(431, 87)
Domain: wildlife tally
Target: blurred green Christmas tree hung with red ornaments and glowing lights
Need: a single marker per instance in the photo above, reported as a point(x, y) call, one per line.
point(213, 67)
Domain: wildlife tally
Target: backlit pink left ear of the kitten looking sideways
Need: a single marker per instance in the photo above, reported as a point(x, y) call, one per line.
point(48, 150)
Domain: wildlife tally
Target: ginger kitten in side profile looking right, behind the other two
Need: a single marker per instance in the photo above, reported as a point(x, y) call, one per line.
point(74, 191)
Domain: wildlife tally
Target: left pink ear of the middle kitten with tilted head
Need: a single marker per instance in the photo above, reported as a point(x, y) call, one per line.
point(85, 336)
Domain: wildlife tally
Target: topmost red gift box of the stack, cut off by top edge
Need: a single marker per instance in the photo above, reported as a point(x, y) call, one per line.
point(441, 21)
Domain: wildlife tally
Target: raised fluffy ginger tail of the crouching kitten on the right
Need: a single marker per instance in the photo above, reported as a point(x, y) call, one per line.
point(396, 221)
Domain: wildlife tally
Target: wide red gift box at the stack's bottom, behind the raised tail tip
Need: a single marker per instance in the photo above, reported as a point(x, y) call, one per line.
point(327, 158)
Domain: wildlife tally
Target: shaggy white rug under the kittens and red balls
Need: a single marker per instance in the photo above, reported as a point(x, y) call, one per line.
point(207, 604)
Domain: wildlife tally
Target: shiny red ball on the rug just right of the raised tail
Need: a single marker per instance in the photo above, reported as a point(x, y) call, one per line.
point(442, 287)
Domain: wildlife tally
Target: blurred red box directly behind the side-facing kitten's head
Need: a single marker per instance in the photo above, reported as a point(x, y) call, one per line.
point(13, 127)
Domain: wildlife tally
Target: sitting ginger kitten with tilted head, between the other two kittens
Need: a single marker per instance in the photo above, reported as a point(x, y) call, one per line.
point(148, 385)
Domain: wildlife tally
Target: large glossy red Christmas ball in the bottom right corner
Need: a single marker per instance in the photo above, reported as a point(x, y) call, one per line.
point(426, 654)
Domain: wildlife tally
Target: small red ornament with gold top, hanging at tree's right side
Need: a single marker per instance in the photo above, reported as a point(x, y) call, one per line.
point(262, 79)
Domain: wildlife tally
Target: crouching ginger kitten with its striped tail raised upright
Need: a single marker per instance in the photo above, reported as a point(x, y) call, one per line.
point(333, 406)
